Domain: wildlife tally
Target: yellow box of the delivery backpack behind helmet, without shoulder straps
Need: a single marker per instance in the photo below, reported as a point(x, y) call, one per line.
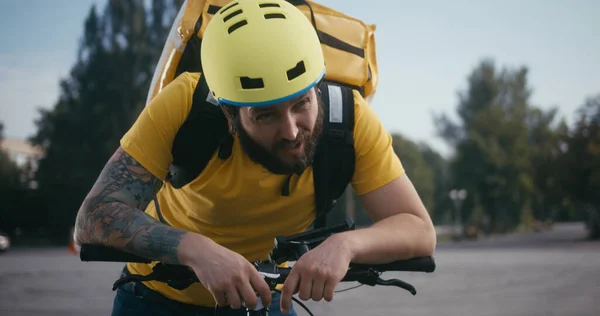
point(348, 45)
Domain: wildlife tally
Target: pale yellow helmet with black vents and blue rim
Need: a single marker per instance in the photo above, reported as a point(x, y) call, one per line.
point(258, 53)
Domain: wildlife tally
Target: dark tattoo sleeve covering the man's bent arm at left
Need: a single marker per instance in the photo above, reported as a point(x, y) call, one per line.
point(113, 212)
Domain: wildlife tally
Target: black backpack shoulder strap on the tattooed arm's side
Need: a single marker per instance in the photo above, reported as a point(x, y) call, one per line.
point(203, 132)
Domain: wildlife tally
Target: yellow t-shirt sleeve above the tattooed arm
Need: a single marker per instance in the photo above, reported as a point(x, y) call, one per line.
point(150, 138)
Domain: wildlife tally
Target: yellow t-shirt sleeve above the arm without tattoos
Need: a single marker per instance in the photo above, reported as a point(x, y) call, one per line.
point(376, 162)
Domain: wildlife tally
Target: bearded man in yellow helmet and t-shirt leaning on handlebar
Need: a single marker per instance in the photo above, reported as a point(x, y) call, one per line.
point(229, 215)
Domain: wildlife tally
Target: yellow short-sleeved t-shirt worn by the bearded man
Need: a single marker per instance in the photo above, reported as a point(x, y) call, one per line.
point(235, 202)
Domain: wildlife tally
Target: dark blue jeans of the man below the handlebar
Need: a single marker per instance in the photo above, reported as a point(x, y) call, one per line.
point(134, 298)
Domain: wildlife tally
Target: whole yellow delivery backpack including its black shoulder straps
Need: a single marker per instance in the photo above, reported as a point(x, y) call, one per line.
point(349, 48)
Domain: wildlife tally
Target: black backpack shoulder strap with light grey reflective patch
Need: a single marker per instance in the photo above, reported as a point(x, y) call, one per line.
point(334, 162)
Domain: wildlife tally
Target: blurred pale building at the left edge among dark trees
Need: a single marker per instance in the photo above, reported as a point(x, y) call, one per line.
point(24, 155)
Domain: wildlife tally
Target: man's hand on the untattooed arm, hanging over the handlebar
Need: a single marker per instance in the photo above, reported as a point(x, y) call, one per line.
point(316, 274)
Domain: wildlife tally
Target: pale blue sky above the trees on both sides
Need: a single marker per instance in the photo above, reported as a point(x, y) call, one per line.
point(425, 51)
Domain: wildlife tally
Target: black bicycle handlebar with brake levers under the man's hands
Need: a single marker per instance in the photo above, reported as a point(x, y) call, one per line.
point(286, 249)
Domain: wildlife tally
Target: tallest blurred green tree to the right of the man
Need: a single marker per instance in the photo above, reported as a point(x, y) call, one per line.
point(491, 141)
